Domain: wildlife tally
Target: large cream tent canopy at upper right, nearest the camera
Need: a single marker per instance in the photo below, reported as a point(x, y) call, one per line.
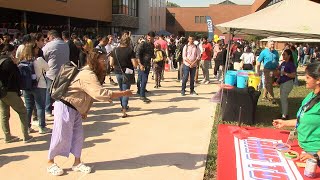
point(288, 18)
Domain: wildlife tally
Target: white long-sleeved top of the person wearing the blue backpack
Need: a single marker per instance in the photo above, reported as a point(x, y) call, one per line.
point(40, 67)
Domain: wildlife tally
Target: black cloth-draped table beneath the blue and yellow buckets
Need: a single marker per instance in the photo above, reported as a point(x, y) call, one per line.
point(233, 99)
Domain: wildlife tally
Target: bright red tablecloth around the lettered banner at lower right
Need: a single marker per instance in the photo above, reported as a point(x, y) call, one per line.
point(226, 162)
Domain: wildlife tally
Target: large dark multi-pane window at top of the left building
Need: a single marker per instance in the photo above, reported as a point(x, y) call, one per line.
point(126, 7)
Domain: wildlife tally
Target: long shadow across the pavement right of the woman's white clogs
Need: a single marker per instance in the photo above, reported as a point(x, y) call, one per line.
point(180, 160)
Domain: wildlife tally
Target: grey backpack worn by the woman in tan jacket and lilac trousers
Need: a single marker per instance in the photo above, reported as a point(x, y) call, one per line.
point(63, 80)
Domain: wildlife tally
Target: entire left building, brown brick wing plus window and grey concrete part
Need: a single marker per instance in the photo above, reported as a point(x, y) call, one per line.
point(82, 16)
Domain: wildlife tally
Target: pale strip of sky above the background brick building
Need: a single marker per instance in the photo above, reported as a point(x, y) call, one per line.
point(205, 3)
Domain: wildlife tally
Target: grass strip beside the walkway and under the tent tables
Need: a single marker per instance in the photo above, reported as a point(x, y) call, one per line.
point(265, 113)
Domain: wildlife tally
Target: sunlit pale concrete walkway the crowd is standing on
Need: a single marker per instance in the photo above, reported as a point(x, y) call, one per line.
point(167, 139)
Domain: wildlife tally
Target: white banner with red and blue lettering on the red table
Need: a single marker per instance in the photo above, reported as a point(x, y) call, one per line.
point(257, 159)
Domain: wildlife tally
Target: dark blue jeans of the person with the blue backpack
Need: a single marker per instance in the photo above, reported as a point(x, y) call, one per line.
point(36, 97)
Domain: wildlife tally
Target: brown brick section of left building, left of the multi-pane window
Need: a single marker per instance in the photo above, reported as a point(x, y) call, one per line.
point(42, 15)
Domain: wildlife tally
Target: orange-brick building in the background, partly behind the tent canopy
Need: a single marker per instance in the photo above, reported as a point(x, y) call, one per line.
point(181, 20)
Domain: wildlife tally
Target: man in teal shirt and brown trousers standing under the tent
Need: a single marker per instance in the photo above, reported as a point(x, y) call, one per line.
point(270, 59)
